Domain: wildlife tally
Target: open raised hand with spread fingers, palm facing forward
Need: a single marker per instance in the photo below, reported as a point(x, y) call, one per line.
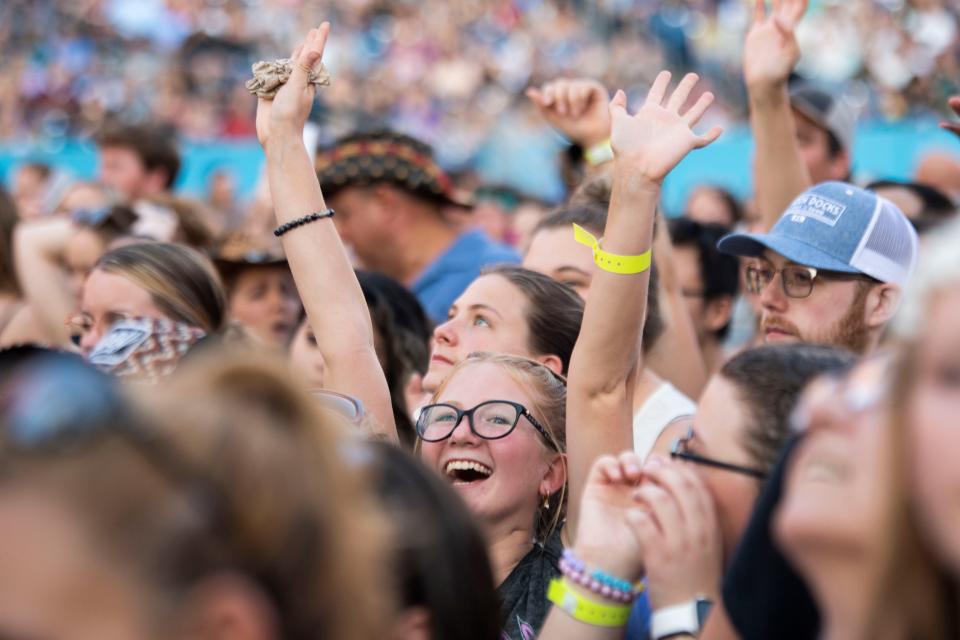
point(658, 137)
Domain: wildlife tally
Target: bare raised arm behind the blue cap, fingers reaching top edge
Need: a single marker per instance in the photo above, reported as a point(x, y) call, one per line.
point(769, 55)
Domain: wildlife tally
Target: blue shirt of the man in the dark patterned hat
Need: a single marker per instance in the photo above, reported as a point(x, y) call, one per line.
point(445, 279)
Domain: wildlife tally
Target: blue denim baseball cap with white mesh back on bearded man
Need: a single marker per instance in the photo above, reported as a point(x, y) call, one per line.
point(836, 226)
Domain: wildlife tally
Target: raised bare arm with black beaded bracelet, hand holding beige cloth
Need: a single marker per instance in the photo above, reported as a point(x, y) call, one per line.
point(325, 279)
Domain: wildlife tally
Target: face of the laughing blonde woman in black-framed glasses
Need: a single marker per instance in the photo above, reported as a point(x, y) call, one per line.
point(502, 481)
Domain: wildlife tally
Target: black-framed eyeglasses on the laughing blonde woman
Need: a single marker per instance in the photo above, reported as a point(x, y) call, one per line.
point(490, 420)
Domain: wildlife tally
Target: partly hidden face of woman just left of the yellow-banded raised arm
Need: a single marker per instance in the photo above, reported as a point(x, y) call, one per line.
point(554, 252)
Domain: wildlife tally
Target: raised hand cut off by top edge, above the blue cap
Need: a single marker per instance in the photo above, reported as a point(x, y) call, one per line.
point(771, 51)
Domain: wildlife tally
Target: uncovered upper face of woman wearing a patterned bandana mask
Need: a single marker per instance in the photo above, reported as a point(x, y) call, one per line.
point(108, 298)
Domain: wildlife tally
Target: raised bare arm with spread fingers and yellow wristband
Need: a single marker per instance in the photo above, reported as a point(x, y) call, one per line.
point(647, 146)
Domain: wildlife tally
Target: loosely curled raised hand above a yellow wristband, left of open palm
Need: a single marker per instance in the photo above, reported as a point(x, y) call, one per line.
point(577, 108)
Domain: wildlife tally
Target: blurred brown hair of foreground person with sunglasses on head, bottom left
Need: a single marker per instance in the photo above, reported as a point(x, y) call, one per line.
point(239, 473)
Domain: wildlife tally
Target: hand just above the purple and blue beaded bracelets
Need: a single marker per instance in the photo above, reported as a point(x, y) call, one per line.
point(604, 538)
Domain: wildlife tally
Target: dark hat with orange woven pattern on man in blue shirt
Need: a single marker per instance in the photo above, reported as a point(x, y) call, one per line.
point(385, 156)
